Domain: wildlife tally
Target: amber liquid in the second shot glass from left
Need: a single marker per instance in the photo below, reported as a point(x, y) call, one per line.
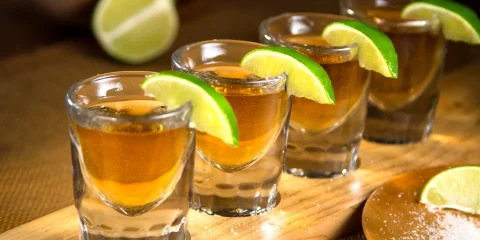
point(259, 115)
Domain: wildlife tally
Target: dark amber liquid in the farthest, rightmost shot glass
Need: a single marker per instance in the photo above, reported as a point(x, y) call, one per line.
point(419, 53)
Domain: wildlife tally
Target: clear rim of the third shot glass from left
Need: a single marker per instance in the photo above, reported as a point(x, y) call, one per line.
point(324, 49)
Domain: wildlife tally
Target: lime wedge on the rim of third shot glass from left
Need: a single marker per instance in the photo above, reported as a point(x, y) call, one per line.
point(376, 50)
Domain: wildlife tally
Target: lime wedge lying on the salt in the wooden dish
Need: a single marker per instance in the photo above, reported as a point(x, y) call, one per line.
point(456, 188)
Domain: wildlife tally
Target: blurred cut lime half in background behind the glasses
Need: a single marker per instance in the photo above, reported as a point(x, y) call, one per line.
point(135, 31)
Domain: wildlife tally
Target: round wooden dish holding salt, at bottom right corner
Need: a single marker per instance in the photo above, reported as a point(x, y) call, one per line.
point(393, 211)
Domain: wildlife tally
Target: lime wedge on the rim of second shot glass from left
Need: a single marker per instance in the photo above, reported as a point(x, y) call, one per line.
point(306, 78)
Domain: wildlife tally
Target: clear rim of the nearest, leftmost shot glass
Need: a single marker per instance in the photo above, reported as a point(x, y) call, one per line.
point(72, 100)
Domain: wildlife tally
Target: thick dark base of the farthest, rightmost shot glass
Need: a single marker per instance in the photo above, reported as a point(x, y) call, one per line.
point(408, 125)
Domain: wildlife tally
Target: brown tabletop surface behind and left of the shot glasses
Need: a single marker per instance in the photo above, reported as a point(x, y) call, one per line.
point(35, 165)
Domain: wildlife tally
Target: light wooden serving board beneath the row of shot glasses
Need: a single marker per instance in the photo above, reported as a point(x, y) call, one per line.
point(330, 208)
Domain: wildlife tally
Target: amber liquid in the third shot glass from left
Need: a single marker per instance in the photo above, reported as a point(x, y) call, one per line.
point(349, 84)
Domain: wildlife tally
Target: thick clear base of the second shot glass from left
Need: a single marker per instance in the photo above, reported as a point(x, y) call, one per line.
point(247, 192)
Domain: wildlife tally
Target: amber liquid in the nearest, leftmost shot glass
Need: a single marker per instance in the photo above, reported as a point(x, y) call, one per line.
point(131, 164)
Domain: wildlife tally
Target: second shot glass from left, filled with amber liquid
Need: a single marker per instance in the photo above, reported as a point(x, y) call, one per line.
point(241, 181)
